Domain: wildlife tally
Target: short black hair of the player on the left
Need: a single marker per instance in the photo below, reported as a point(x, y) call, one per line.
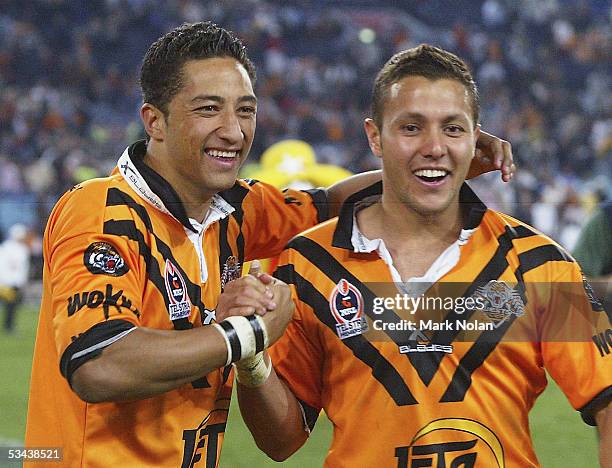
point(161, 73)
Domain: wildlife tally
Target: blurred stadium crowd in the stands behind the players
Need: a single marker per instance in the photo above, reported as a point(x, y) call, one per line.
point(69, 96)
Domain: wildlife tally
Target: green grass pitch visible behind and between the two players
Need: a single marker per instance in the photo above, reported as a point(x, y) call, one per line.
point(561, 438)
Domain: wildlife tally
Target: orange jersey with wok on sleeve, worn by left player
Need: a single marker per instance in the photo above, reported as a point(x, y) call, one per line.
point(120, 252)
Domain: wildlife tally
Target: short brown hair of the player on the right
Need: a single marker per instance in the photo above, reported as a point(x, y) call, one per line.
point(429, 62)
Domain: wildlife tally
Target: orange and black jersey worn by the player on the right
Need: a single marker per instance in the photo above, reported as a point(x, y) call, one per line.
point(451, 386)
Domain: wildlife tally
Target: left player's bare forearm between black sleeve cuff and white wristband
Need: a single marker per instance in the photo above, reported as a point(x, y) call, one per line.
point(149, 362)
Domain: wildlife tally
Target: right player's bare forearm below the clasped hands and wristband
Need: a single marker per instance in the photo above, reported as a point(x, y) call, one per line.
point(272, 414)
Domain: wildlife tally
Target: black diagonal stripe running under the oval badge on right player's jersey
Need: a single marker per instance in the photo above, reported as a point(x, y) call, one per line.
point(362, 349)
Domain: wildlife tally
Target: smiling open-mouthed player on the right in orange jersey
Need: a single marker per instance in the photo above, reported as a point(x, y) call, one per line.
point(409, 388)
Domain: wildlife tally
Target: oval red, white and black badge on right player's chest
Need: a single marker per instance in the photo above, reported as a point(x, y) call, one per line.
point(346, 306)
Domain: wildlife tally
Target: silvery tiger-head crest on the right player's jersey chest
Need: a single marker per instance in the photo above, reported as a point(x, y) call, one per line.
point(500, 301)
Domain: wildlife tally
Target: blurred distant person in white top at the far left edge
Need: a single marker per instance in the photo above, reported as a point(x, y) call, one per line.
point(14, 270)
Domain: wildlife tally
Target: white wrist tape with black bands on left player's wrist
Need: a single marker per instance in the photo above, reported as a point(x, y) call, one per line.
point(244, 336)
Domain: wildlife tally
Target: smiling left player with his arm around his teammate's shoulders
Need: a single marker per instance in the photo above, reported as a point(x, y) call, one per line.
point(143, 308)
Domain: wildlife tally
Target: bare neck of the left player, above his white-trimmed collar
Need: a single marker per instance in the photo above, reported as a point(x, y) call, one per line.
point(194, 200)
